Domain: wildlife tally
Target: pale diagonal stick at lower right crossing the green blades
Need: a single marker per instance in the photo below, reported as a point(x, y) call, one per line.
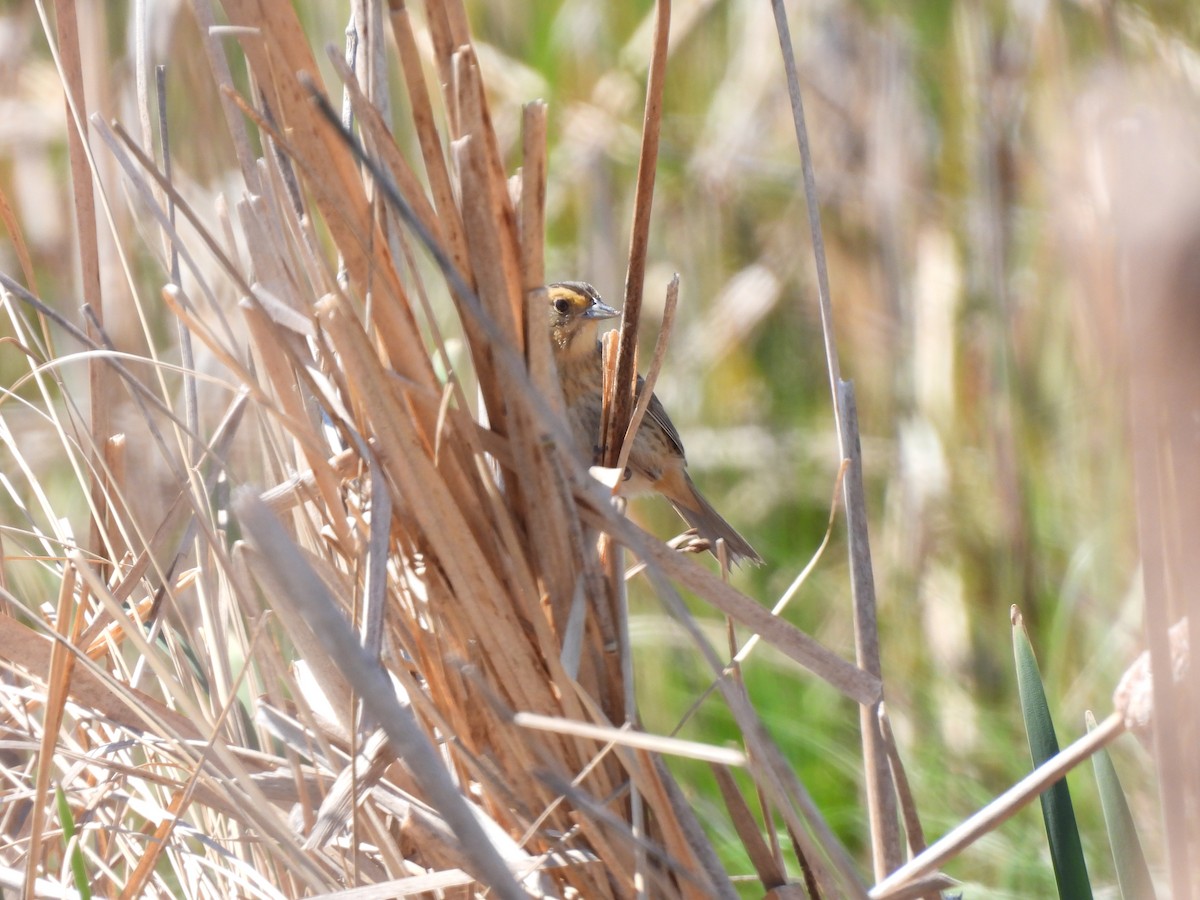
point(1001, 809)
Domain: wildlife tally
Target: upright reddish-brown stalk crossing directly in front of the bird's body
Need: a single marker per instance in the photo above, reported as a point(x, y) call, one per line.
point(621, 400)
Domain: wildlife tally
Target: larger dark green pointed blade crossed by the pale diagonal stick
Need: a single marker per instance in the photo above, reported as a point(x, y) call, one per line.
point(1066, 850)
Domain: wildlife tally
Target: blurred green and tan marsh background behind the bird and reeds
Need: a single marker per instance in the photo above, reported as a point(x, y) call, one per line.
point(962, 183)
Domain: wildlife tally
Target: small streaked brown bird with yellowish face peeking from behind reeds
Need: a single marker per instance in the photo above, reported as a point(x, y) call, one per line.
point(657, 461)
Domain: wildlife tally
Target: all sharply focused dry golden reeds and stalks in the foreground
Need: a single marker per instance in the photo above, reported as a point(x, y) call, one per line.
point(398, 656)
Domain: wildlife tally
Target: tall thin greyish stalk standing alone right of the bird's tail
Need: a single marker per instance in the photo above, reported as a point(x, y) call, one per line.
point(880, 791)
